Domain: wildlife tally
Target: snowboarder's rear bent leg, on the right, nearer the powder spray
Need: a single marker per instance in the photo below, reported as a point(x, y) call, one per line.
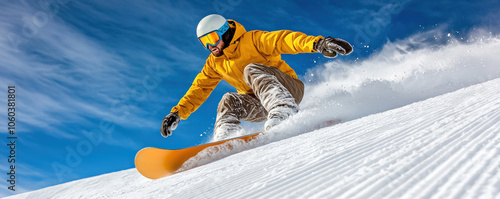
point(279, 93)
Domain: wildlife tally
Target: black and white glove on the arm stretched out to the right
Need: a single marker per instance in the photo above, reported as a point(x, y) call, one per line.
point(331, 46)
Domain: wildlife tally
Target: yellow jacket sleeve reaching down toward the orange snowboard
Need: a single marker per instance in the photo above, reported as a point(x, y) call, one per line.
point(204, 83)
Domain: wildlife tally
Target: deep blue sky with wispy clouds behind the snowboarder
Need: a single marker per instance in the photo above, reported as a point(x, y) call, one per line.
point(95, 78)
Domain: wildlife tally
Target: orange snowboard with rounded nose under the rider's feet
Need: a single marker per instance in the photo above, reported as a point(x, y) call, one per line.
point(154, 163)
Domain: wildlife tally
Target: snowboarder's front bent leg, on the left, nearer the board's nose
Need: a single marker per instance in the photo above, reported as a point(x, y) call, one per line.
point(234, 107)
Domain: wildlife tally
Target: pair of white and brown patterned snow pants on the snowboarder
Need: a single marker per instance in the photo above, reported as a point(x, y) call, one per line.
point(274, 92)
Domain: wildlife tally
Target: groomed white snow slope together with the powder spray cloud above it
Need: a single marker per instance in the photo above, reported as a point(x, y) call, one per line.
point(391, 144)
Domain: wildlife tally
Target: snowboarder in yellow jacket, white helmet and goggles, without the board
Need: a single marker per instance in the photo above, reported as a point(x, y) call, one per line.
point(267, 87)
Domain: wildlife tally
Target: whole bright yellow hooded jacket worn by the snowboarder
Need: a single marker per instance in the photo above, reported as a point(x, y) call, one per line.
point(245, 48)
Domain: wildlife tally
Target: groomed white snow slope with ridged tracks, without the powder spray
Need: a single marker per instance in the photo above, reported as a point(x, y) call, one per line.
point(444, 147)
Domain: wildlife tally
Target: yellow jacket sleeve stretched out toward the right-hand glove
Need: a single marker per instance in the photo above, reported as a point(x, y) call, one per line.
point(284, 42)
